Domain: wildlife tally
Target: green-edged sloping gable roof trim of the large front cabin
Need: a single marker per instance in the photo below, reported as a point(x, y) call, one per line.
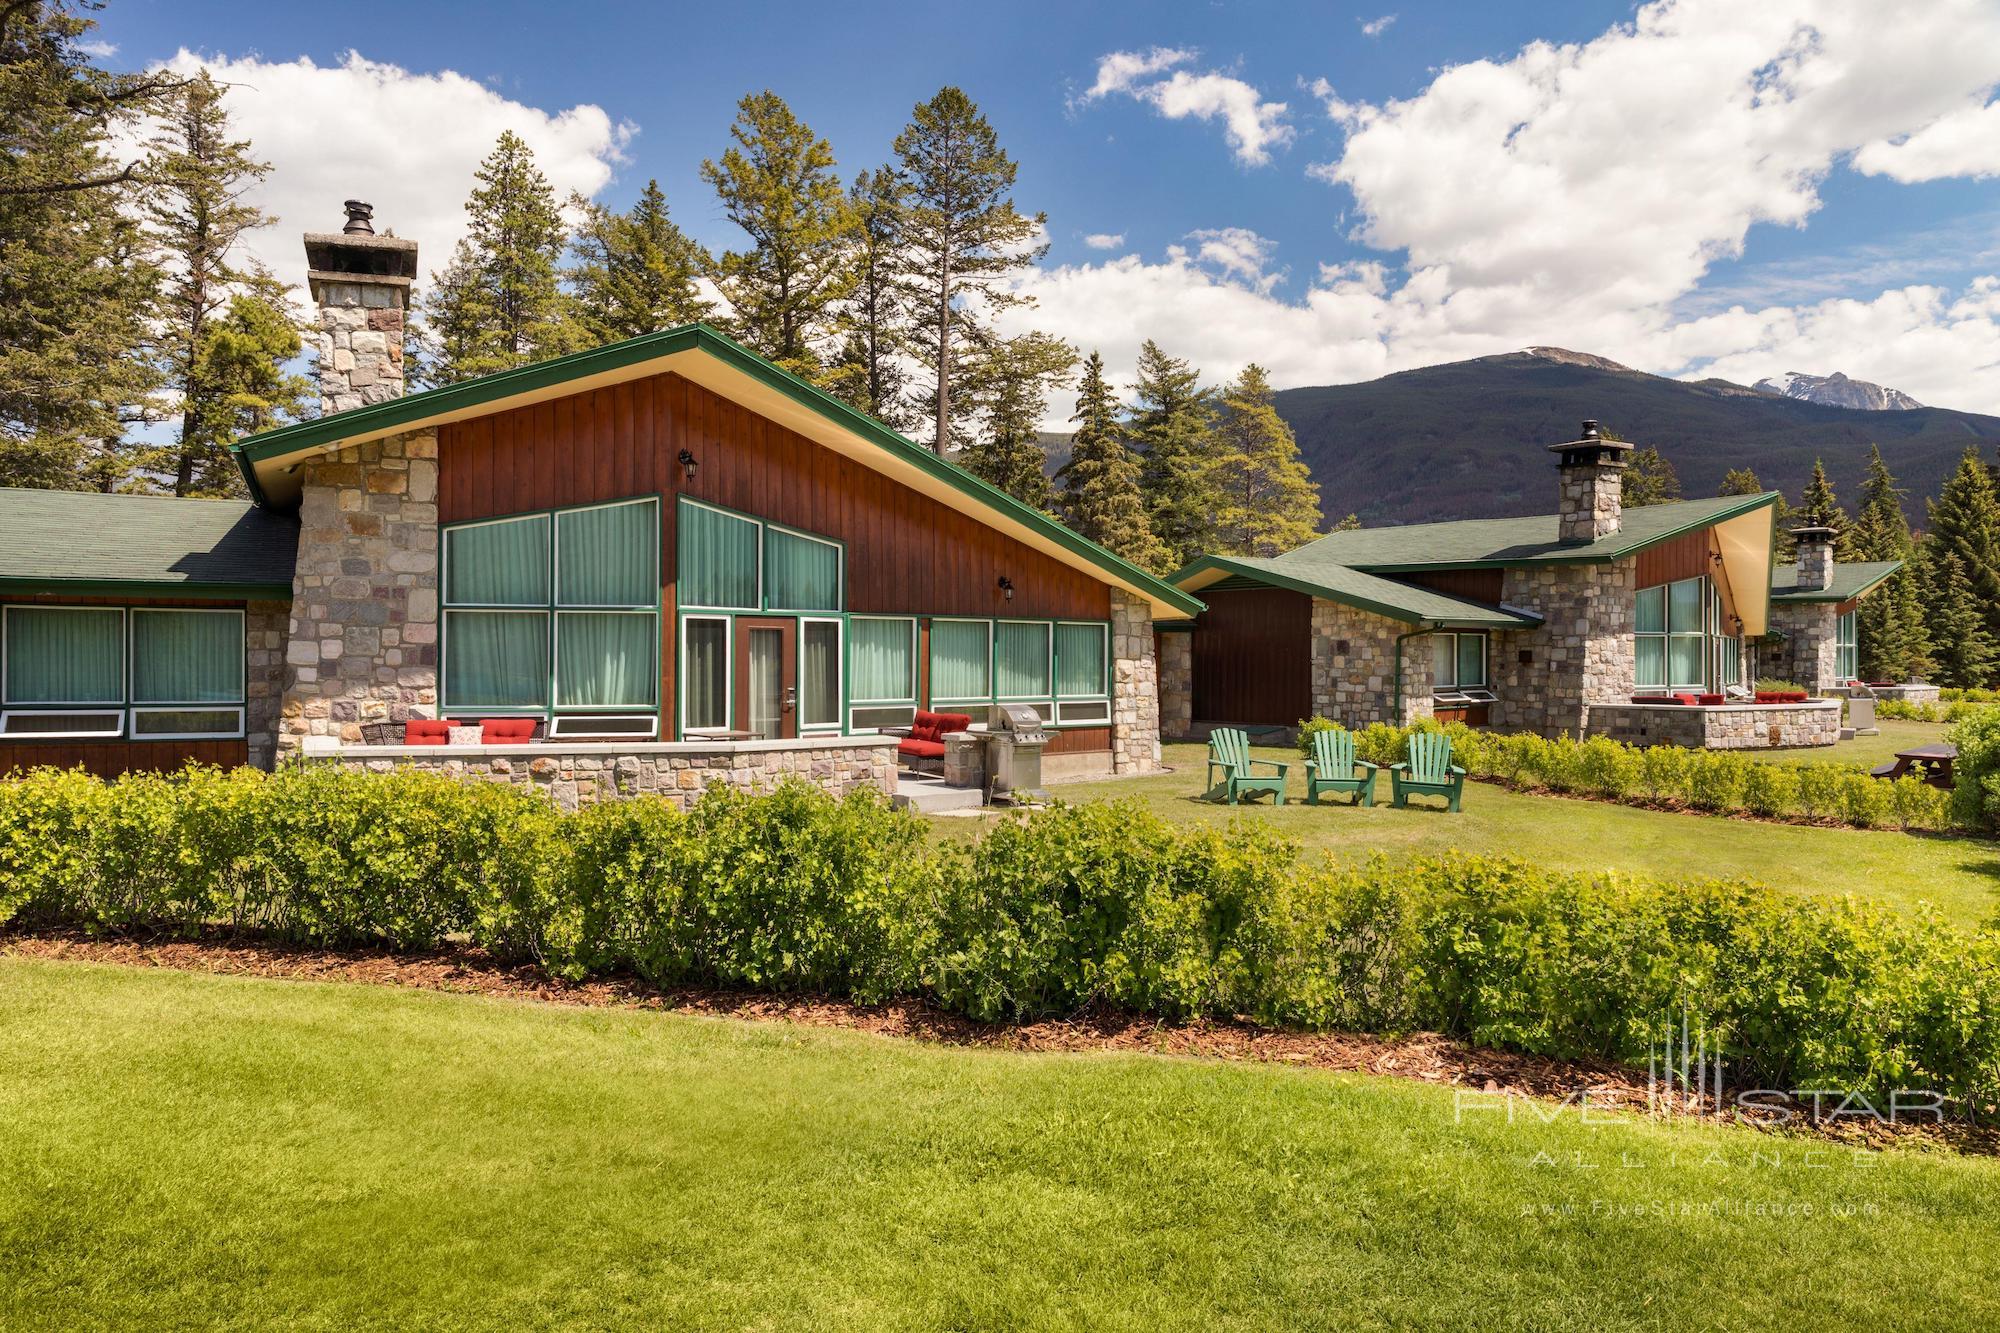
point(507, 385)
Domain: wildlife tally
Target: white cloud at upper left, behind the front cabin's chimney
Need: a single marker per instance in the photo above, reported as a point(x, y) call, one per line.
point(409, 143)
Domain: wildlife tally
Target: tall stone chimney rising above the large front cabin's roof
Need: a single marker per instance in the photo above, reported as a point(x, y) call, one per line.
point(363, 287)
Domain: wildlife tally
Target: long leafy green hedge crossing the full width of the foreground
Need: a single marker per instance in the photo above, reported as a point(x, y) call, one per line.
point(1045, 916)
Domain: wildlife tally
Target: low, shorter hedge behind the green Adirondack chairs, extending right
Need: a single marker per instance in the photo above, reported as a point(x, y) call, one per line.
point(1715, 782)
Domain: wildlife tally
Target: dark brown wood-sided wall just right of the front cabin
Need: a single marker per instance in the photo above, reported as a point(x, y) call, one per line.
point(1253, 657)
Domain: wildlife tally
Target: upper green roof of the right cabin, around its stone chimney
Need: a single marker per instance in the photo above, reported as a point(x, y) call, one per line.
point(1497, 543)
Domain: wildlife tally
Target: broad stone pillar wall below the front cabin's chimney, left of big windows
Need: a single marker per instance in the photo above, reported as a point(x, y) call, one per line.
point(363, 643)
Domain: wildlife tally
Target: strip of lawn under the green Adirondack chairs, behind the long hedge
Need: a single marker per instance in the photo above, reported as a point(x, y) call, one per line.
point(1959, 876)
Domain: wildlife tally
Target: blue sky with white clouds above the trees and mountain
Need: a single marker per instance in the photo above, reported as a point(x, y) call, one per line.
point(1679, 187)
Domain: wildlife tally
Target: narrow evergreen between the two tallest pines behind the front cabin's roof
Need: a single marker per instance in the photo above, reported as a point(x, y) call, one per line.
point(877, 317)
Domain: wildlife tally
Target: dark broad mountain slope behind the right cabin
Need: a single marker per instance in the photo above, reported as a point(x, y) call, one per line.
point(1467, 439)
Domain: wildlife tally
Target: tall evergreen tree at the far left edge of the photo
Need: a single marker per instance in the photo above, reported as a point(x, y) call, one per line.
point(77, 279)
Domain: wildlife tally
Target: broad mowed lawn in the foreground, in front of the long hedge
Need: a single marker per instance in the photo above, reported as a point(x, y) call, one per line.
point(221, 1152)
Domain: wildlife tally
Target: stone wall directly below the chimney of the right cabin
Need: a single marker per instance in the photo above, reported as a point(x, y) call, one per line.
point(1577, 657)
